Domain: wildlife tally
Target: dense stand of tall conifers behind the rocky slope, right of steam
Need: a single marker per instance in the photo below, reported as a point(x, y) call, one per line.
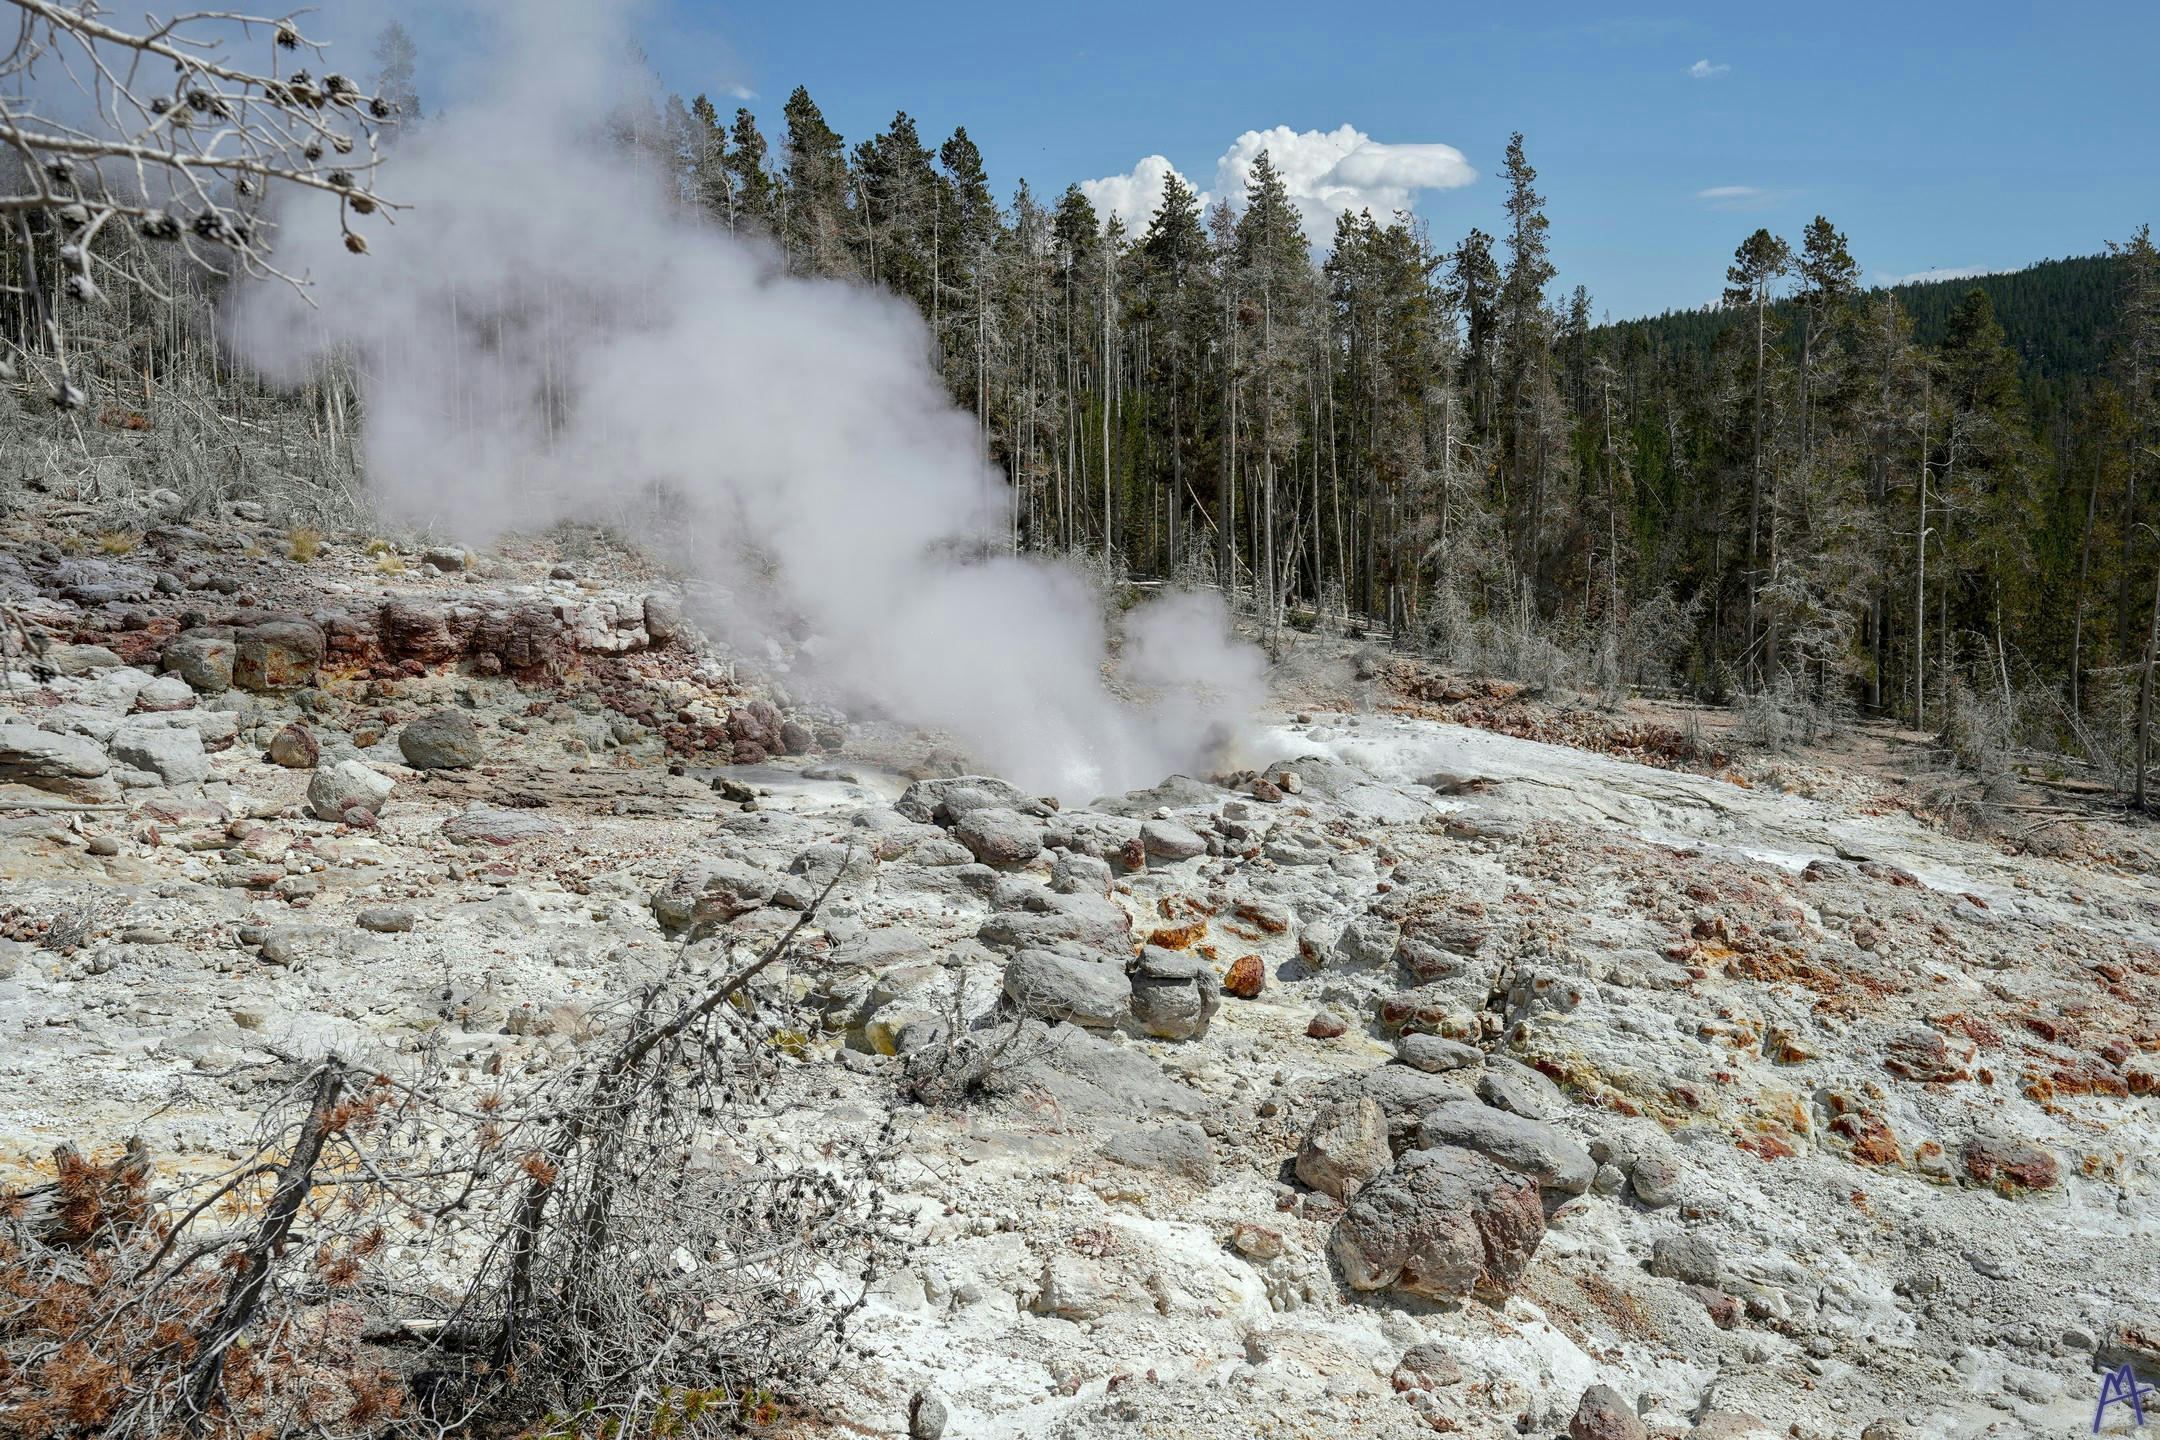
point(1846, 498)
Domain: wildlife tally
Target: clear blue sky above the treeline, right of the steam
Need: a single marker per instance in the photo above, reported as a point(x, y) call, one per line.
point(1977, 135)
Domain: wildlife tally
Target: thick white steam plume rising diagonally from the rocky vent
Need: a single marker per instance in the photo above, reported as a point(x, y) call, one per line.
point(548, 338)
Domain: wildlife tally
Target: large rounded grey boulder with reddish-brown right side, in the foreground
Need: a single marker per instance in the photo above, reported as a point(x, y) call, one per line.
point(1444, 1225)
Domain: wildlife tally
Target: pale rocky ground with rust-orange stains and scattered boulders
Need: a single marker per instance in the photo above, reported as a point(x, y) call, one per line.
point(1418, 1078)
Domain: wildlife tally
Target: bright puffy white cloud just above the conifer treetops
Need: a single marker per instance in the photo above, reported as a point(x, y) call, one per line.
point(1327, 172)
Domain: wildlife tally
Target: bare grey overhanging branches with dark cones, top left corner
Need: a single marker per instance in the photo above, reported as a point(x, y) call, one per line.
point(154, 128)
